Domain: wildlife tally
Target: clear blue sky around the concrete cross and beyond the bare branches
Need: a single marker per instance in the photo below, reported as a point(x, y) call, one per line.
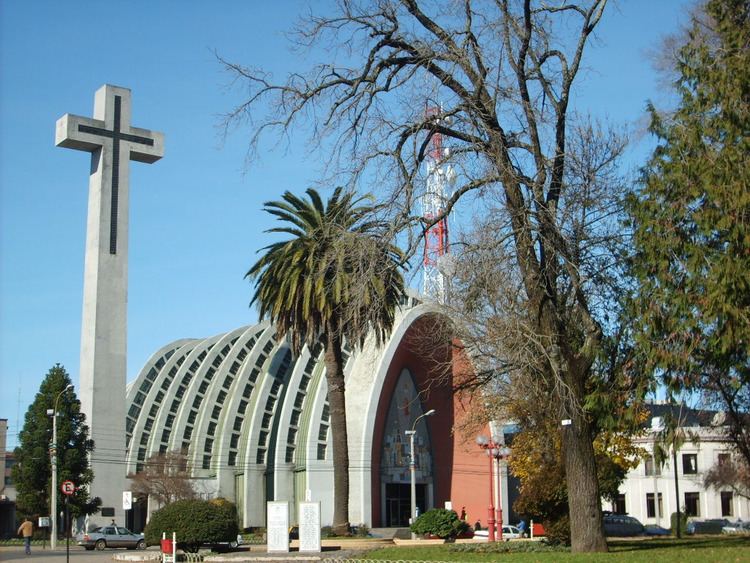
point(195, 219)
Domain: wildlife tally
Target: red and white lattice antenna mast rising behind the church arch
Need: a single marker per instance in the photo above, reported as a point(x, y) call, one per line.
point(436, 243)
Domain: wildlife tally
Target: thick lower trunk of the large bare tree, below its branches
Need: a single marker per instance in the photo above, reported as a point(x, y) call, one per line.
point(584, 502)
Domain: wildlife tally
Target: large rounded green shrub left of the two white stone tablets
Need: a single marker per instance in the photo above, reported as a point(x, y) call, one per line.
point(195, 522)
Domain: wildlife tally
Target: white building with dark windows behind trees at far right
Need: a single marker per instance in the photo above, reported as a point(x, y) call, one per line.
point(648, 492)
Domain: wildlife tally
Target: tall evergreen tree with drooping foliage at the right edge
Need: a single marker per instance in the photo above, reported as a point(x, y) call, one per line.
point(691, 222)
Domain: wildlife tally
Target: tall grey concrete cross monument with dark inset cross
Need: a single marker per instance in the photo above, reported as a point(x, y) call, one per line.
point(112, 142)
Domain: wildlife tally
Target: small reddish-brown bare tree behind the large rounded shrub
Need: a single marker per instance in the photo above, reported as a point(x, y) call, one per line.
point(165, 478)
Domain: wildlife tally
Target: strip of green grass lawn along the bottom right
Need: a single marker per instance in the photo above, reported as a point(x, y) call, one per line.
point(720, 549)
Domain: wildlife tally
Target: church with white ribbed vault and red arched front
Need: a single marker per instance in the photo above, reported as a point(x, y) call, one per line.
point(253, 419)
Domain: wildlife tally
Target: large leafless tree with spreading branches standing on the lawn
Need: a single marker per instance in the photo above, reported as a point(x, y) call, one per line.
point(501, 73)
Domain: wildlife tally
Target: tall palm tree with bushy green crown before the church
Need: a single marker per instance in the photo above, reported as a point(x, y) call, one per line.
point(335, 279)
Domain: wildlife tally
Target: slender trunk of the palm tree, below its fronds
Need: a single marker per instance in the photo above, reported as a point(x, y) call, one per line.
point(339, 438)
